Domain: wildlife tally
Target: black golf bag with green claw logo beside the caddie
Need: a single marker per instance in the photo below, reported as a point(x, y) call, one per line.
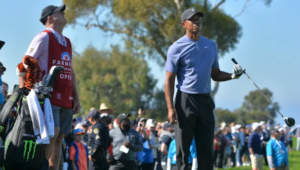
point(21, 152)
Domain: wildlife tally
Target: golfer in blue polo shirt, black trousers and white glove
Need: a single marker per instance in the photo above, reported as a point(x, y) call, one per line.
point(194, 60)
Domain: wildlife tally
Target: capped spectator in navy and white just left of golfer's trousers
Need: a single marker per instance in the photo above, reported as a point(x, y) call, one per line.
point(166, 138)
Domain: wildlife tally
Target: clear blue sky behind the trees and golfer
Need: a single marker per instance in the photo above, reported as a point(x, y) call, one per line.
point(268, 49)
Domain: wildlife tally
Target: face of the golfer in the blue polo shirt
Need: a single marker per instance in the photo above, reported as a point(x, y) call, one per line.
point(193, 24)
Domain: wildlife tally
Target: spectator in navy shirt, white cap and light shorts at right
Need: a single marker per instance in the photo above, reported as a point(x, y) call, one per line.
point(255, 147)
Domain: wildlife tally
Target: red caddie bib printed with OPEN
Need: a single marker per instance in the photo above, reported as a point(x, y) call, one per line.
point(58, 54)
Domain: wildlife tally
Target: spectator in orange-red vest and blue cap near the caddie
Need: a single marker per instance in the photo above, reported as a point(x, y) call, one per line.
point(78, 152)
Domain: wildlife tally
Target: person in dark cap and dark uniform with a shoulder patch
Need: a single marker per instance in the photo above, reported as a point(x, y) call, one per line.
point(98, 142)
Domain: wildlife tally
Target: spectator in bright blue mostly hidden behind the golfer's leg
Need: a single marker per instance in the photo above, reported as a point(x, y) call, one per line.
point(192, 159)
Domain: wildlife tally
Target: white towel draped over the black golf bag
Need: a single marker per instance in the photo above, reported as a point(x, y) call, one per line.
point(43, 124)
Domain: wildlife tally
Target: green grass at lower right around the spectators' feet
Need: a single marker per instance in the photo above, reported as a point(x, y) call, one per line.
point(294, 161)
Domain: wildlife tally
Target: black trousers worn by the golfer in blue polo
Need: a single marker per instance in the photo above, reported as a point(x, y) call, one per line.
point(195, 119)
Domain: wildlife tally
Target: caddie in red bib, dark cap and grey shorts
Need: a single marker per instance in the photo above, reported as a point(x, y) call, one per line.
point(51, 48)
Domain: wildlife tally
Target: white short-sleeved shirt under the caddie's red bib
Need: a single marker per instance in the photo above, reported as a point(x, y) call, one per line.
point(39, 47)
